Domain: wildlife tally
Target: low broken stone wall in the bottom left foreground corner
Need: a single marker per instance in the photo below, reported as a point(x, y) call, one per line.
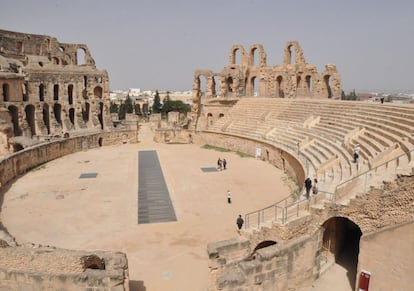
point(46, 268)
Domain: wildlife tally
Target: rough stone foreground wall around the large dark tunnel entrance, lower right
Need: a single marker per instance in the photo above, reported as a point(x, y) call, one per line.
point(384, 216)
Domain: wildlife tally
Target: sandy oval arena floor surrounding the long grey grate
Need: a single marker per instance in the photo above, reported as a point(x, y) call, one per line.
point(52, 206)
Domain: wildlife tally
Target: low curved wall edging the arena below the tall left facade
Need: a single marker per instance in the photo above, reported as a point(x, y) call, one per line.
point(20, 162)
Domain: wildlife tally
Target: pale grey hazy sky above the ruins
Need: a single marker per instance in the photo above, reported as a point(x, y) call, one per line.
point(158, 44)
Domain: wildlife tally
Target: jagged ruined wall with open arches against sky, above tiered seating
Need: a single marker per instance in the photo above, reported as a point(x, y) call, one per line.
point(247, 74)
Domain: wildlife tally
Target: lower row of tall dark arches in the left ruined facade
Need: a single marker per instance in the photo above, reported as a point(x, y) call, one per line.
point(46, 113)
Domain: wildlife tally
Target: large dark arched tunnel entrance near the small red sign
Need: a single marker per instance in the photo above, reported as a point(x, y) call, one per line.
point(341, 243)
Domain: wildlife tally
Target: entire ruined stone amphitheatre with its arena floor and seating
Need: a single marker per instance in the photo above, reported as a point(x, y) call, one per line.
point(141, 206)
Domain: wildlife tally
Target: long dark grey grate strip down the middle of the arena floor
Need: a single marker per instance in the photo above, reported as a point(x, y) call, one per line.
point(154, 203)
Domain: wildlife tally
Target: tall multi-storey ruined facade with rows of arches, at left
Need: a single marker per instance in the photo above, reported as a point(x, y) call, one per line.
point(49, 89)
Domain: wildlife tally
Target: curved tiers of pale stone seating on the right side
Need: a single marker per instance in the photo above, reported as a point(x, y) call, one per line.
point(326, 131)
